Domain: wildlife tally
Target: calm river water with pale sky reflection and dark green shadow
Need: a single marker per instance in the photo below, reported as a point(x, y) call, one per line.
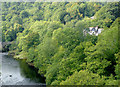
point(17, 72)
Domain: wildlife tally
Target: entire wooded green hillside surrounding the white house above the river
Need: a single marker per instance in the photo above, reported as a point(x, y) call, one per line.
point(49, 35)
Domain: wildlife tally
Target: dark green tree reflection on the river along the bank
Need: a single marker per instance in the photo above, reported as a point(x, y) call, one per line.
point(30, 72)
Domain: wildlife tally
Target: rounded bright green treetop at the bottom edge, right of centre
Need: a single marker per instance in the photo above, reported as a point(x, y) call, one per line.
point(84, 77)
